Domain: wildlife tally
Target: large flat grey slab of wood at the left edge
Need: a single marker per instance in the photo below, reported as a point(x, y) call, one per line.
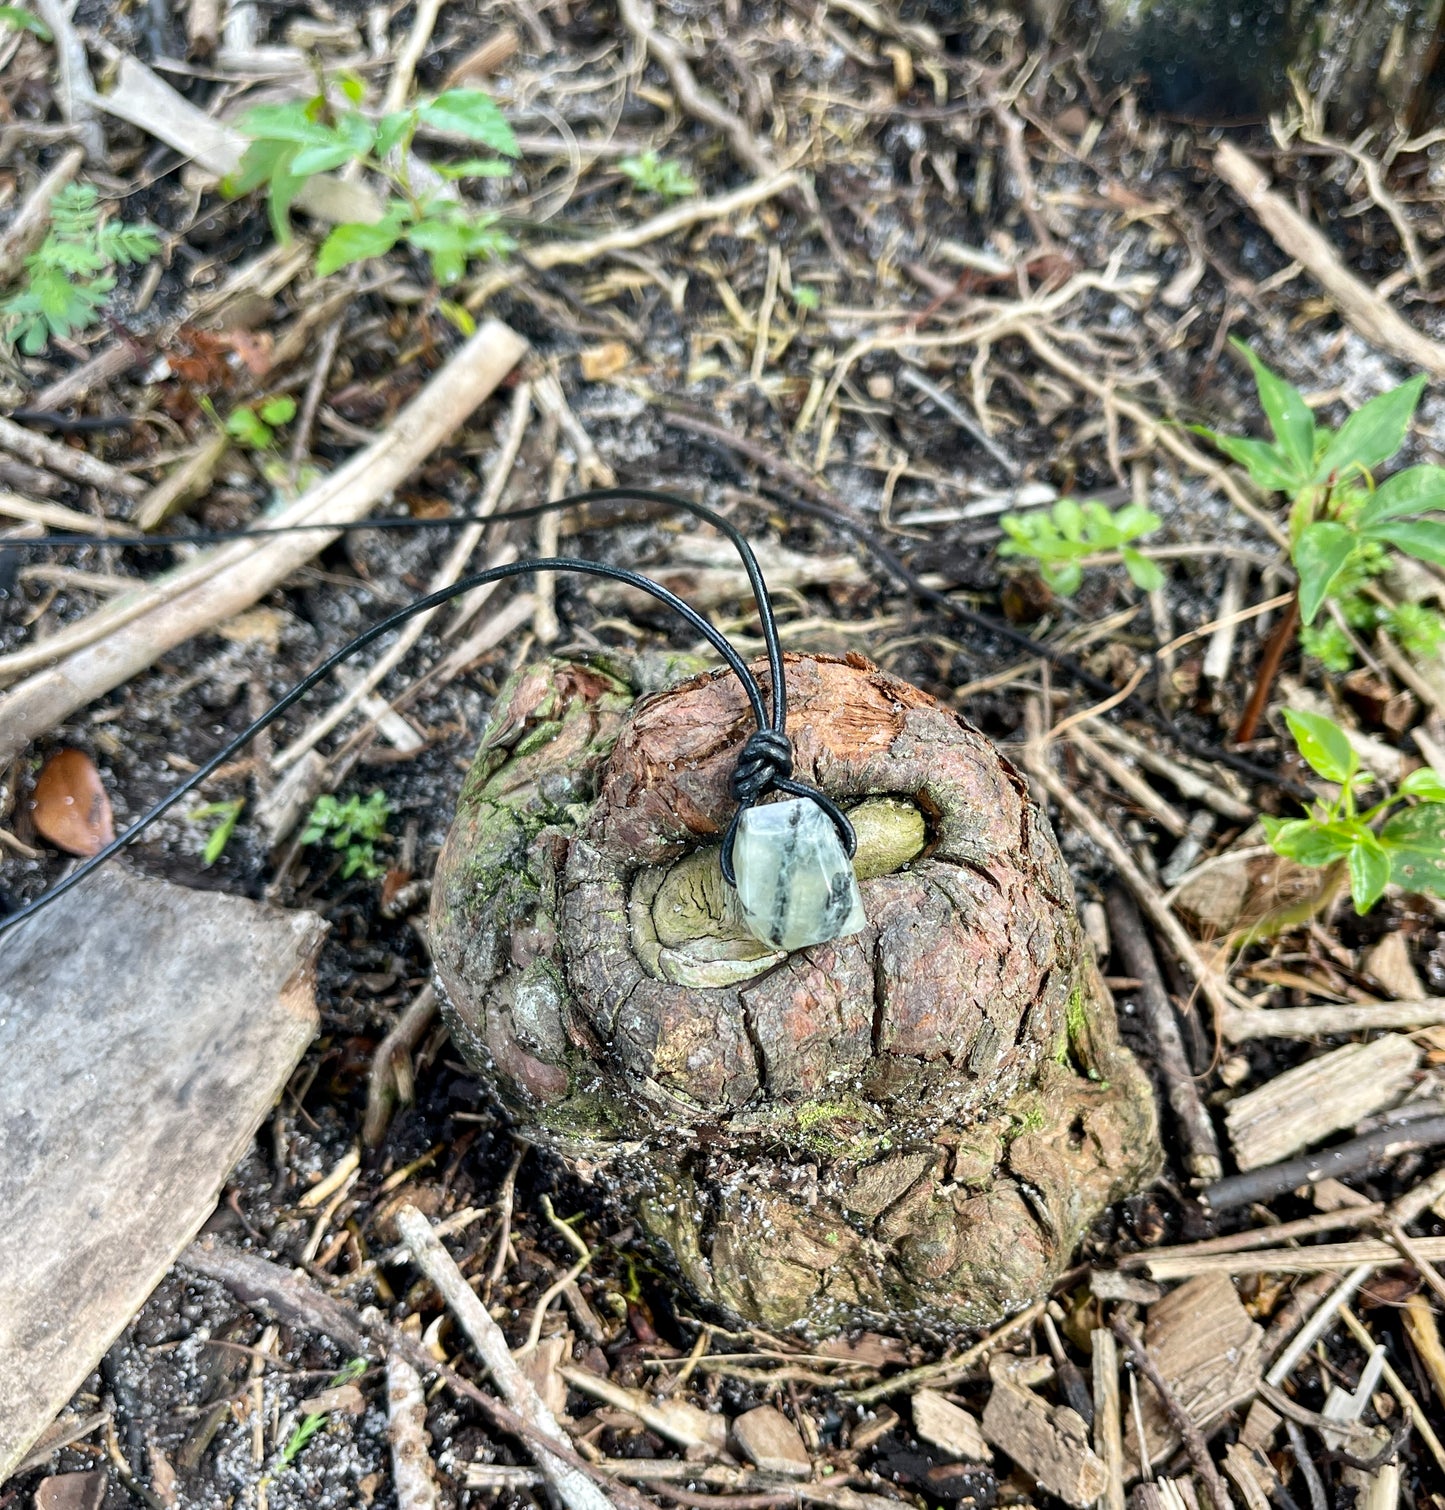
point(146, 1032)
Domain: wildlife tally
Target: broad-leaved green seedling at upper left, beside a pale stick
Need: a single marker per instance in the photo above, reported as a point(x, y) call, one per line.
point(295, 143)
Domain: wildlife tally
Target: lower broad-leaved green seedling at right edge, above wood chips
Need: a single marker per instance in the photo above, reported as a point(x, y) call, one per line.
point(1405, 846)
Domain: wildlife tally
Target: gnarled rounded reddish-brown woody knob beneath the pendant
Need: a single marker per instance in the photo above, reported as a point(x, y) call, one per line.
point(911, 1126)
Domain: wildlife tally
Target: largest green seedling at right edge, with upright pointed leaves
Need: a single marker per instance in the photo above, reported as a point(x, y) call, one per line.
point(1345, 528)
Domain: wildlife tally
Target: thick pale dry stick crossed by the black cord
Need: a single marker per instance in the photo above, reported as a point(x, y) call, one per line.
point(238, 575)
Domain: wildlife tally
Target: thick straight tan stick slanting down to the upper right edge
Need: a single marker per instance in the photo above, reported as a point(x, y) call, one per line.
point(1379, 322)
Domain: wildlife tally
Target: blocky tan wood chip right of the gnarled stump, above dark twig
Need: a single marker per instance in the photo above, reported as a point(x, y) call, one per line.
point(1305, 1105)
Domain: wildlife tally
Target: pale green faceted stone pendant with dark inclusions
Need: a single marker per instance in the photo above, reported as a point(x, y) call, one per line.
point(795, 881)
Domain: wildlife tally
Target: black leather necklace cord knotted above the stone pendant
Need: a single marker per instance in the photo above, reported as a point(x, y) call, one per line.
point(765, 763)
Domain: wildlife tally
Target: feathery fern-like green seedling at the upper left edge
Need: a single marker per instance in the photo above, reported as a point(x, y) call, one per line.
point(69, 277)
